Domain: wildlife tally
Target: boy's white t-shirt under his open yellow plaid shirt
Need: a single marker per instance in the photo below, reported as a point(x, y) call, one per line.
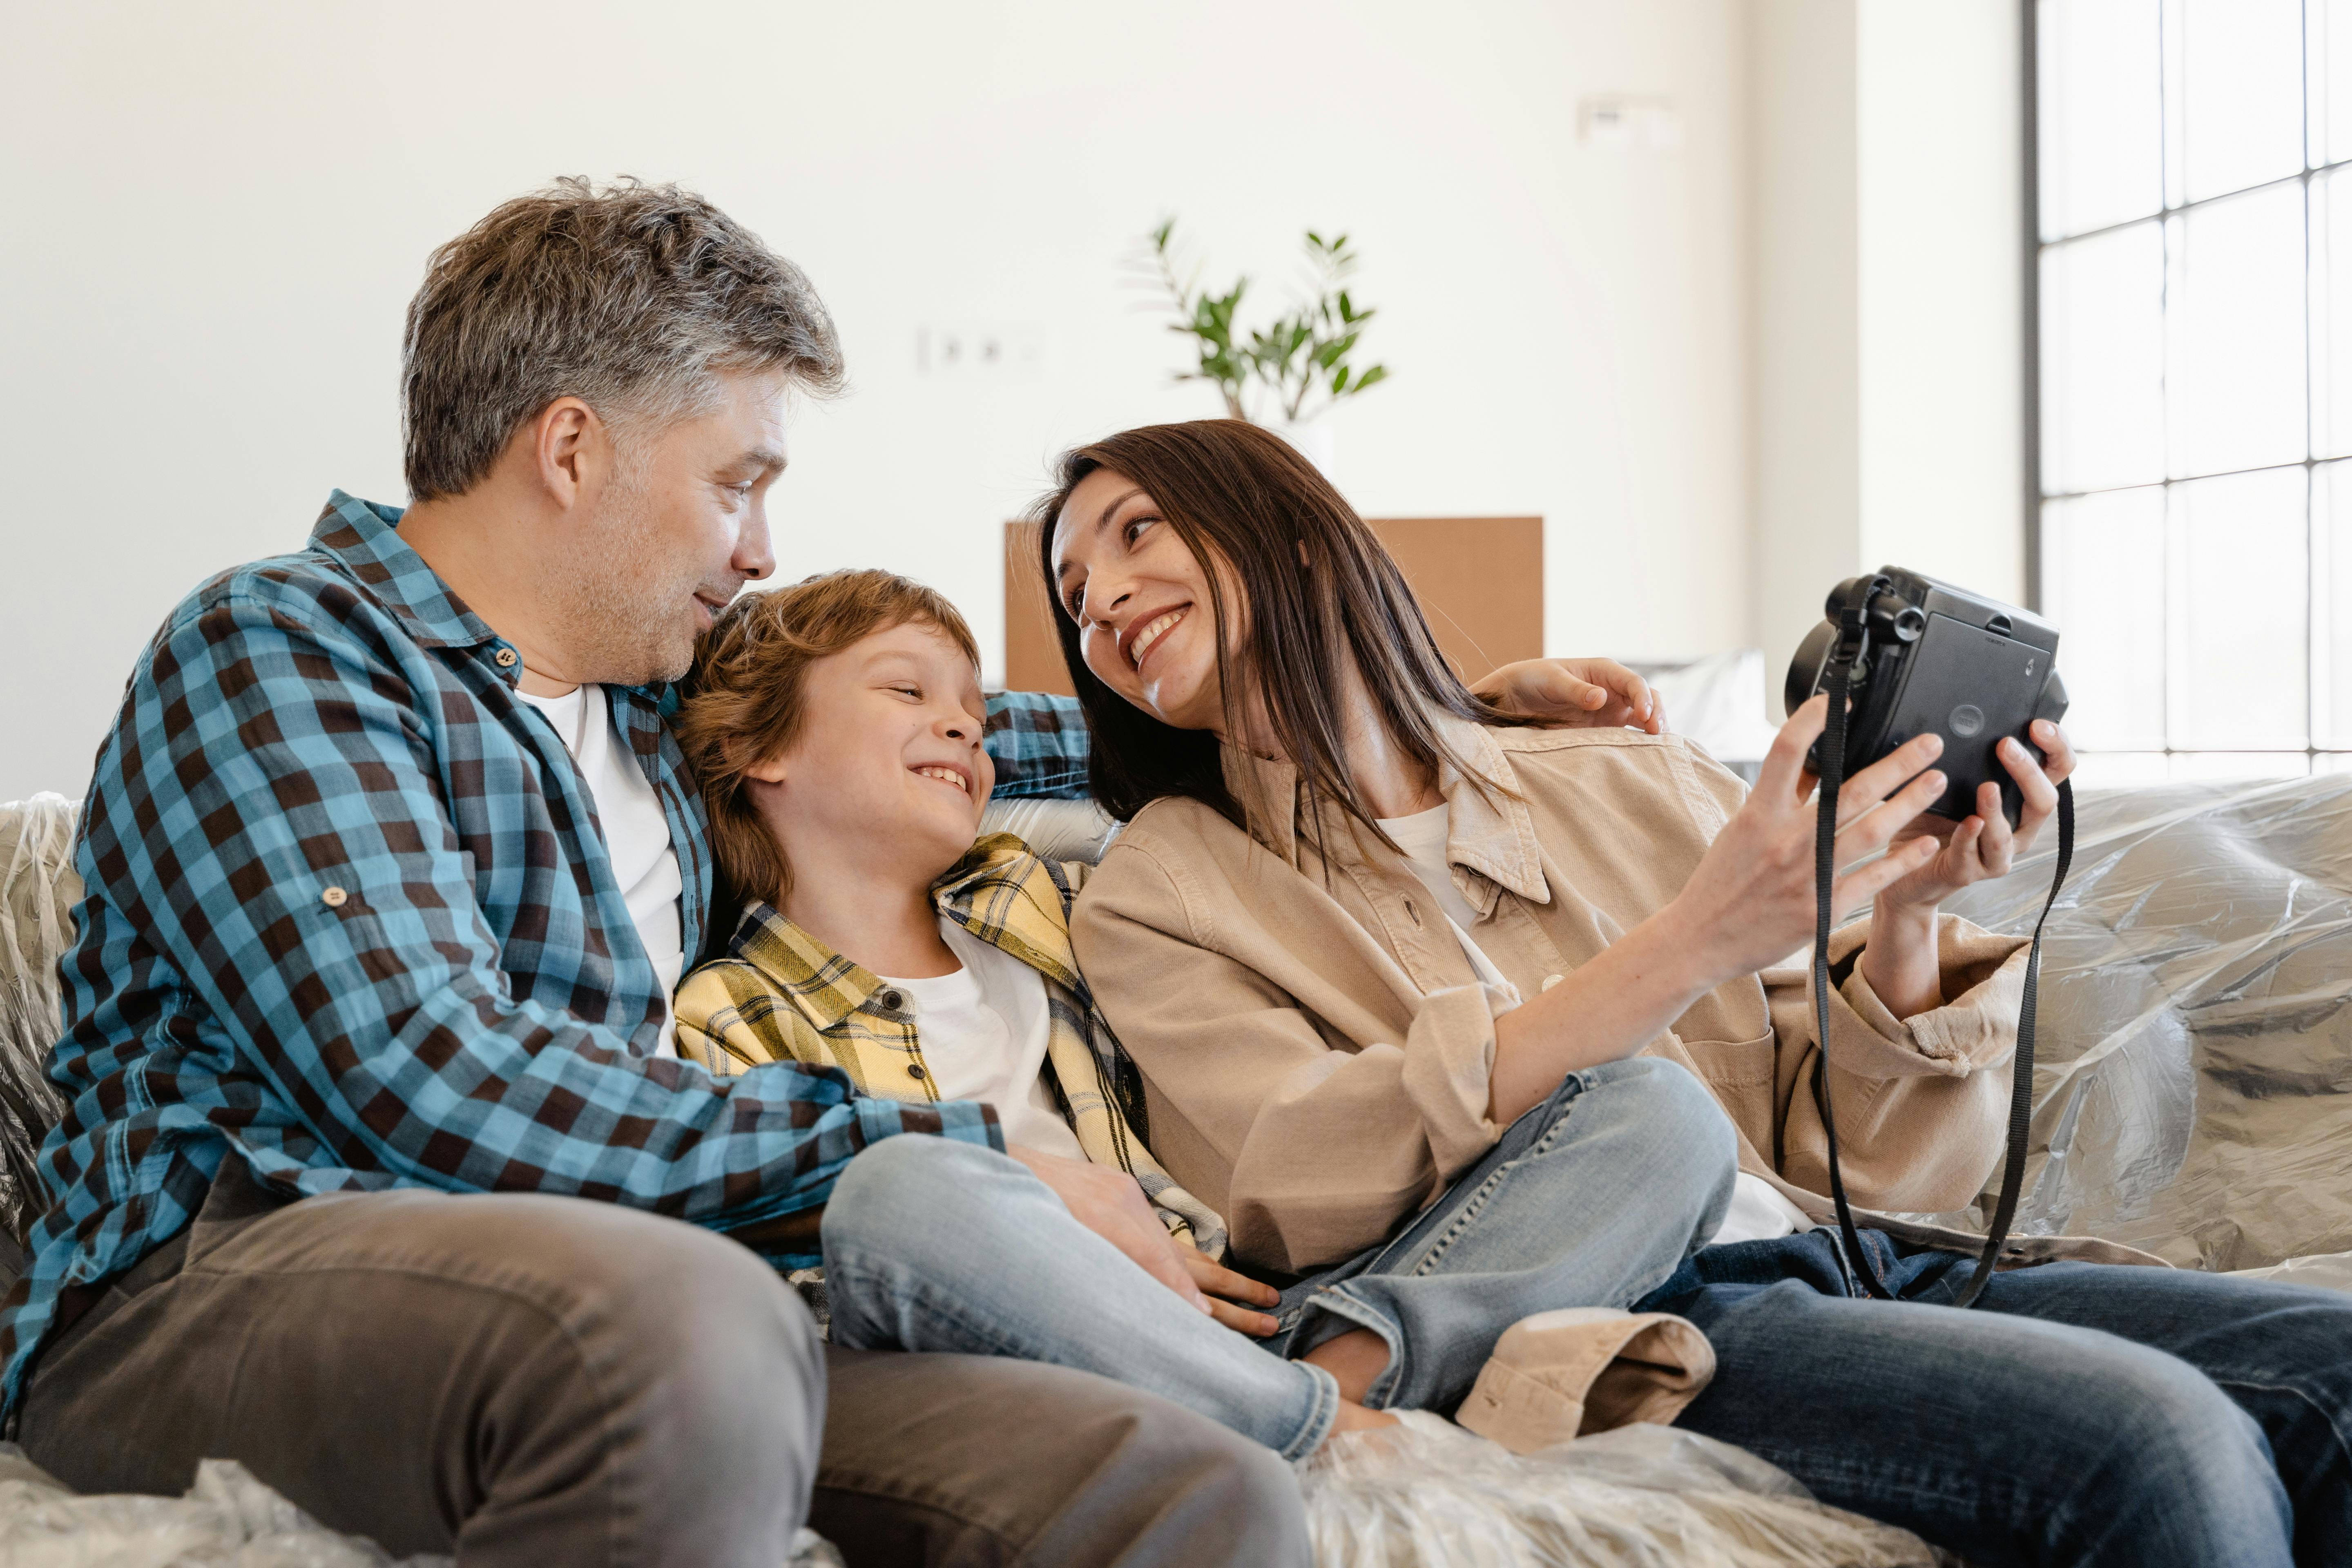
point(984, 1033)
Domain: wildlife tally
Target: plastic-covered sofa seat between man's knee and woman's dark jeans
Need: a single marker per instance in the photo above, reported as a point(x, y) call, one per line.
point(1431, 1496)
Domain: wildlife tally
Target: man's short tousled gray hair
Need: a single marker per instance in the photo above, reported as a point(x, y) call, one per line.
point(632, 300)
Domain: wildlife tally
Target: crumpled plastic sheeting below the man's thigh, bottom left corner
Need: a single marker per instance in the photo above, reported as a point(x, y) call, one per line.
point(227, 1520)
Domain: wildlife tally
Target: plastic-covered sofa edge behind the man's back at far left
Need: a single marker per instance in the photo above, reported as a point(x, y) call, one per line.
point(39, 892)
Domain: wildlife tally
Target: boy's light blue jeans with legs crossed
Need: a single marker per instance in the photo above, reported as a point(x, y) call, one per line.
point(1591, 1200)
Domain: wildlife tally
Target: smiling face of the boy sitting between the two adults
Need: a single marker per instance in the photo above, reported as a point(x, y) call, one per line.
point(888, 765)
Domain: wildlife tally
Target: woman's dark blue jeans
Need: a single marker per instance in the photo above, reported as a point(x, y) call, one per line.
point(2083, 1414)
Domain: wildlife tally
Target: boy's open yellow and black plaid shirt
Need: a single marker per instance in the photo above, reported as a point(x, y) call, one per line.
point(784, 996)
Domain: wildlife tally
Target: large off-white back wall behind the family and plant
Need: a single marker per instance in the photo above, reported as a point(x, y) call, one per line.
point(222, 210)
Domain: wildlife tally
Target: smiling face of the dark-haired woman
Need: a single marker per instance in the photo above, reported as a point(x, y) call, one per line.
point(1147, 624)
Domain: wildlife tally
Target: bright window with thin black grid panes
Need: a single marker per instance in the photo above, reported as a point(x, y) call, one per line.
point(2196, 363)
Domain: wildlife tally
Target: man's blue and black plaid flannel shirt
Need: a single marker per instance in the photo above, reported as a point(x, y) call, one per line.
point(352, 920)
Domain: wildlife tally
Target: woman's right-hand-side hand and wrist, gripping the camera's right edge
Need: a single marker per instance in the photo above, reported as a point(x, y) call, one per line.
point(1902, 960)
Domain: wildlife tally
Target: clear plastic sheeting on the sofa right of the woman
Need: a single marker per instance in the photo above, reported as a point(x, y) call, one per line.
point(2193, 1080)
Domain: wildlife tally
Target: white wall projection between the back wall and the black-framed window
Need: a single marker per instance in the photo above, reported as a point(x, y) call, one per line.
point(1885, 185)
